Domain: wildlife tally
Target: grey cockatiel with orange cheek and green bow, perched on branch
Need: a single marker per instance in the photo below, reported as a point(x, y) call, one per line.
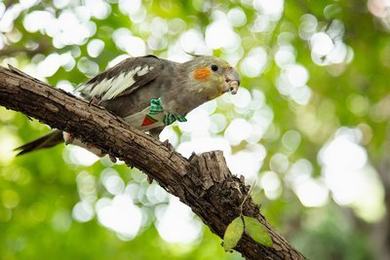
point(150, 93)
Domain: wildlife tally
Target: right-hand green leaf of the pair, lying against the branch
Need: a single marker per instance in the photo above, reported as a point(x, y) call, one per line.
point(257, 231)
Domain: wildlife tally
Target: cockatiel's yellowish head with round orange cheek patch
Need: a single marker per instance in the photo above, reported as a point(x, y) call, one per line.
point(213, 76)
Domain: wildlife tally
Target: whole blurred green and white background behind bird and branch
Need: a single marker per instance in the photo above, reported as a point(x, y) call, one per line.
point(309, 127)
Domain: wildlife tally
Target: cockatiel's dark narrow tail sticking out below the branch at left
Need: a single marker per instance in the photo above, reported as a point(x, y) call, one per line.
point(46, 141)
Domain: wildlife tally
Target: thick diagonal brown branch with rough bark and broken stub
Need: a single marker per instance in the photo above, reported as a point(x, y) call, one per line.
point(203, 182)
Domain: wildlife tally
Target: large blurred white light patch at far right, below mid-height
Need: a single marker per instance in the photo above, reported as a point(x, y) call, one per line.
point(350, 176)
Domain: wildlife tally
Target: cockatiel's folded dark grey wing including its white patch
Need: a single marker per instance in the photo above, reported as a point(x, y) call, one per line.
point(122, 79)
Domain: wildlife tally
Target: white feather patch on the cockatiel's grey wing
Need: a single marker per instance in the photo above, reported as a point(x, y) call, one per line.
point(110, 88)
